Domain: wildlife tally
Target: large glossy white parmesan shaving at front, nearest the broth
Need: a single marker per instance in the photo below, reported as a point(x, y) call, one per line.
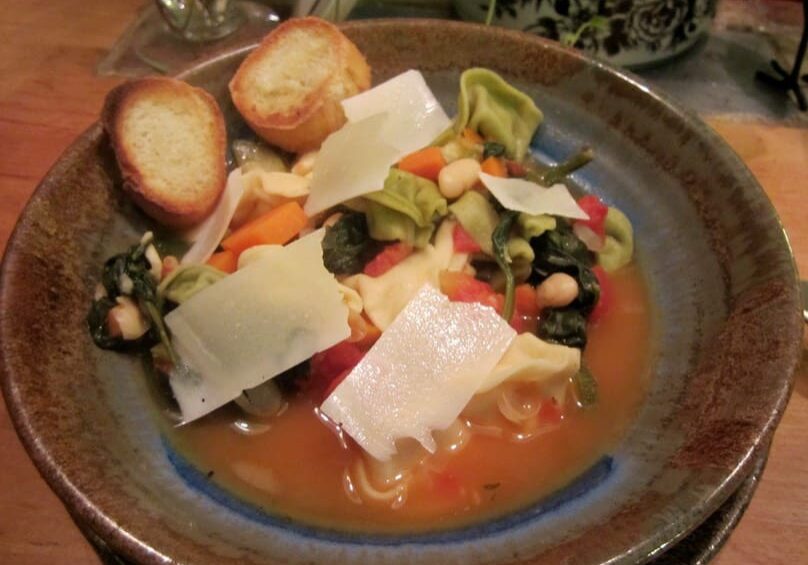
point(420, 374)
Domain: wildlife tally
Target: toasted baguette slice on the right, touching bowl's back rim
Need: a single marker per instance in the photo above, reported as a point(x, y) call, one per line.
point(289, 89)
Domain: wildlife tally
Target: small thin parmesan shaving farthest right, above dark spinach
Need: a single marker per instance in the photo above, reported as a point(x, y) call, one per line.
point(528, 197)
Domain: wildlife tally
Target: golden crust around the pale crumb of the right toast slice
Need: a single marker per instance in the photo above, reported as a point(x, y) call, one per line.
point(319, 112)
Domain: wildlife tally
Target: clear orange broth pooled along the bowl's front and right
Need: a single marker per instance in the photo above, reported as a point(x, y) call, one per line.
point(296, 467)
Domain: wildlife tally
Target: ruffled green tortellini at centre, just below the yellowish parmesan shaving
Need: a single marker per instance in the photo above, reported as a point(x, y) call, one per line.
point(405, 209)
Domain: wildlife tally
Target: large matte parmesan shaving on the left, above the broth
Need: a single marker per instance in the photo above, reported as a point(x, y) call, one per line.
point(254, 324)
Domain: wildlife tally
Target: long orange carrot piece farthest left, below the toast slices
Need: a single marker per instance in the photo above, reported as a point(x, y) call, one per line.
point(277, 226)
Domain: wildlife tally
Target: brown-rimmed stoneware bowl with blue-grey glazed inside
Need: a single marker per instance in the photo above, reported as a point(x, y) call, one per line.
point(715, 256)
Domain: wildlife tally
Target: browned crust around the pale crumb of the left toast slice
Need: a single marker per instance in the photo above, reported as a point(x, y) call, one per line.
point(159, 204)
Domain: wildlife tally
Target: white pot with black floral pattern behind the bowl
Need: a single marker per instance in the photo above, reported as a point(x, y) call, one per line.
point(631, 33)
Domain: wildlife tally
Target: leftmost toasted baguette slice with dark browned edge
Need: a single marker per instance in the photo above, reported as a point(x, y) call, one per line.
point(169, 139)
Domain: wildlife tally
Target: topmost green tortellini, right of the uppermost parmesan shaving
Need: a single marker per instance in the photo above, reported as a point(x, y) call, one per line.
point(497, 110)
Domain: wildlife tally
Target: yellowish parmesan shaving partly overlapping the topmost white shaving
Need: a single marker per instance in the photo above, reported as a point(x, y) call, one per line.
point(352, 161)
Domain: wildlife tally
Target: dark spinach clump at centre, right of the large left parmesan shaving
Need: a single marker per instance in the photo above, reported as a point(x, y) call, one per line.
point(347, 245)
